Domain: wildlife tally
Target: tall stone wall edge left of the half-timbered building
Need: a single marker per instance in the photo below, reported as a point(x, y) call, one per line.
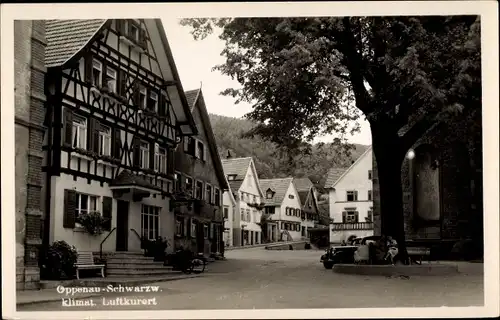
point(29, 64)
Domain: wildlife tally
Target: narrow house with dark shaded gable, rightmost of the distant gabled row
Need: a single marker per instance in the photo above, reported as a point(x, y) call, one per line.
point(310, 210)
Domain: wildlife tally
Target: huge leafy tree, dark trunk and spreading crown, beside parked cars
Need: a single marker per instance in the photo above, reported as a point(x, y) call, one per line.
point(308, 76)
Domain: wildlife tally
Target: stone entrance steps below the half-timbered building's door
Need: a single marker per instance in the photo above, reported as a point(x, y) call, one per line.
point(135, 264)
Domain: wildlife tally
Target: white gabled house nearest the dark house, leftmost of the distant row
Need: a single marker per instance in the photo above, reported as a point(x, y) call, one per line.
point(245, 188)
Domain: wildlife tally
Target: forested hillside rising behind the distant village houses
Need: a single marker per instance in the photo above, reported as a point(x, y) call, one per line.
point(273, 164)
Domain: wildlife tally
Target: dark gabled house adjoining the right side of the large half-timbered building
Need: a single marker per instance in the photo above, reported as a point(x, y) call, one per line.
point(199, 185)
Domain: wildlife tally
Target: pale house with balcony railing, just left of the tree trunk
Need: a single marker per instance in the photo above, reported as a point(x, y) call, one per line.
point(351, 199)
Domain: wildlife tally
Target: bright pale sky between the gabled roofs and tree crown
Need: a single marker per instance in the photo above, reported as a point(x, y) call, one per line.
point(194, 61)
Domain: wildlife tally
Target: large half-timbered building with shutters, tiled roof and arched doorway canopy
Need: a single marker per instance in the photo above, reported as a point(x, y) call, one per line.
point(116, 111)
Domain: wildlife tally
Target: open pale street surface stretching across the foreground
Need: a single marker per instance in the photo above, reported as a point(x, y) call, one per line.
point(260, 279)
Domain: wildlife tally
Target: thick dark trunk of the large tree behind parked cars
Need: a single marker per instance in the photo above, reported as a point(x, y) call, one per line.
point(389, 157)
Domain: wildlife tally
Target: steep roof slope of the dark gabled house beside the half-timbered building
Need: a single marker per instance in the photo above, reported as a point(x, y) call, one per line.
point(195, 98)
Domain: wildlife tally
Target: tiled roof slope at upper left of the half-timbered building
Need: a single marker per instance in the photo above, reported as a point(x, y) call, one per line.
point(67, 37)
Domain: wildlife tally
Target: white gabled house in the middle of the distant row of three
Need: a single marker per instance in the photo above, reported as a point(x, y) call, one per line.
point(282, 204)
